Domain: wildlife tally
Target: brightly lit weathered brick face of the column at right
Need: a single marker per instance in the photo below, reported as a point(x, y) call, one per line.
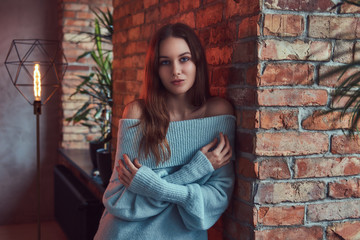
point(307, 171)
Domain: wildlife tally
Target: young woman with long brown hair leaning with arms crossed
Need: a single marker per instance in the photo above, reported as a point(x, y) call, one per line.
point(173, 177)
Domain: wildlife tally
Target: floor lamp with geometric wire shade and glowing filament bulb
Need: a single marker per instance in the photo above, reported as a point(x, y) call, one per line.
point(36, 67)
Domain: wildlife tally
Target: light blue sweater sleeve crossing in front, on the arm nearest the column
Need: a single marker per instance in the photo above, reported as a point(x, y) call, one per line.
point(200, 205)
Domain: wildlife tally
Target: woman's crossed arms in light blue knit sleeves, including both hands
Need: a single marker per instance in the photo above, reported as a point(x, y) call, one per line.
point(142, 193)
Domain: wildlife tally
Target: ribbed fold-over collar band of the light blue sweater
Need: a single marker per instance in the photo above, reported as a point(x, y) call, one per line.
point(185, 138)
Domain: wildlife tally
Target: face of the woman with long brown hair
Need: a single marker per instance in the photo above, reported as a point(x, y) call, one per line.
point(176, 68)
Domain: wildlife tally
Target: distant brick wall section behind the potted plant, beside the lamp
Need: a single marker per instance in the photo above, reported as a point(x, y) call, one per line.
point(77, 18)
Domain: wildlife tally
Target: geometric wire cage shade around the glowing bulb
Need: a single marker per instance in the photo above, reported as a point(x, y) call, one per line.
point(20, 63)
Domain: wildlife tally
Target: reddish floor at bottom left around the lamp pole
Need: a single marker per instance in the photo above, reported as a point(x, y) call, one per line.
point(49, 231)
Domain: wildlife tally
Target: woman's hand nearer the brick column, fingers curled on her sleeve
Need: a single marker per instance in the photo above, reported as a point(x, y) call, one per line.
point(220, 154)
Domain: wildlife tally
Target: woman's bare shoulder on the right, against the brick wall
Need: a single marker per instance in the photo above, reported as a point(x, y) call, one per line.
point(218, 106)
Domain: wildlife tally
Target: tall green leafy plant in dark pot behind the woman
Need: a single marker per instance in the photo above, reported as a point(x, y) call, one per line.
point(96, 112)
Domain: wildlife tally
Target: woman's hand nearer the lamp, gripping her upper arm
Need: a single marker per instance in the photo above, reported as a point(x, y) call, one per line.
point(126, 171)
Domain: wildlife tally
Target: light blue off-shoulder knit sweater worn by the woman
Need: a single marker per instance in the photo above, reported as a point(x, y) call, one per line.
point(179, 198)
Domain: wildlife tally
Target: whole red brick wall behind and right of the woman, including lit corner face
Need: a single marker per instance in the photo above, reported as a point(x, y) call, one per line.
point(297, 175)
